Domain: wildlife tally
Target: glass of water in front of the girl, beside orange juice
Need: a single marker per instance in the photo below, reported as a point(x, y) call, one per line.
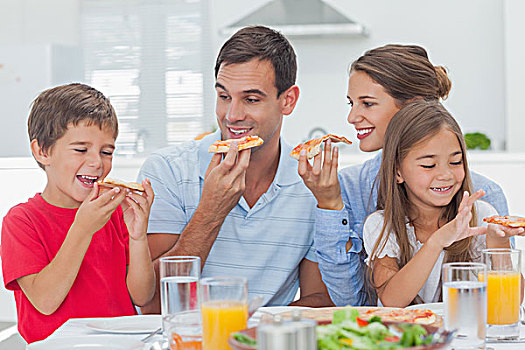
point(465, 300)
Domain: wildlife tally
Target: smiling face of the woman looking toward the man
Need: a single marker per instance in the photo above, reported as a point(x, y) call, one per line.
point(371, 110)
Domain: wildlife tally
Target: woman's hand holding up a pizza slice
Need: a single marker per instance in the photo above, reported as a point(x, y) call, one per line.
point(322, 180)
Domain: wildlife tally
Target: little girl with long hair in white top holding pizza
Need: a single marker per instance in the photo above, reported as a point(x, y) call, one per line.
point(426, 215)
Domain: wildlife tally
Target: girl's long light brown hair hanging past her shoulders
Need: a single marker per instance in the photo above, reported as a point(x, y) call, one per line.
point(413, 124)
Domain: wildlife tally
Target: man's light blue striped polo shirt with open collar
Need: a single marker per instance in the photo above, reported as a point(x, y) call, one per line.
point(265, 243)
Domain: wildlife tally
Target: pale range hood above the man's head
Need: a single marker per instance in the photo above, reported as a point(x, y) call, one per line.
point(299, 18)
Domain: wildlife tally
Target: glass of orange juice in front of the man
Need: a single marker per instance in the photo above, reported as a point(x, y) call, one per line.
point(224, 309)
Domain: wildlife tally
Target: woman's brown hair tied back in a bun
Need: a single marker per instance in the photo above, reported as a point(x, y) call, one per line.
point(405, 73)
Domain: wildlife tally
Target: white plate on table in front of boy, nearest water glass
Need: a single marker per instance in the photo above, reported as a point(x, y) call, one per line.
point(127, 324)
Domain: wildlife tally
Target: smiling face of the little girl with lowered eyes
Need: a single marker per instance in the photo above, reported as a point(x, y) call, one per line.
point(433, 170)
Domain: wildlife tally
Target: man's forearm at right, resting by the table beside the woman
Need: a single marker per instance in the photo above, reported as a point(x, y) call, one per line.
point(313, 290)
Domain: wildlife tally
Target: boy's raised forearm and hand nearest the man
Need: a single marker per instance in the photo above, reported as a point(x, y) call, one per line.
point(140, 278)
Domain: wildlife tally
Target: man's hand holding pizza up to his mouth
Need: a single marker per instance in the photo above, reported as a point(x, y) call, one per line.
point(224, 182)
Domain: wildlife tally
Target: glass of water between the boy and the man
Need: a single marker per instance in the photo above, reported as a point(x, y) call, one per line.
point(179, 297)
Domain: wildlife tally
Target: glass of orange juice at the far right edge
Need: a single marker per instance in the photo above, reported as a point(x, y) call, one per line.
point(503, 292)
